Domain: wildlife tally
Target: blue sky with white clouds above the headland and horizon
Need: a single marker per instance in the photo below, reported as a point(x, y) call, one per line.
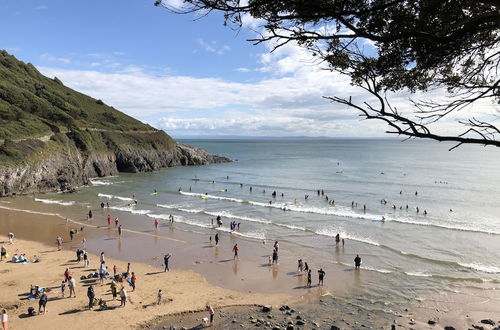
point(190, 76)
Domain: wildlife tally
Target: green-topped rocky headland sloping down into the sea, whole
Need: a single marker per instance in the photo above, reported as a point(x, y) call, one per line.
point(53, 138)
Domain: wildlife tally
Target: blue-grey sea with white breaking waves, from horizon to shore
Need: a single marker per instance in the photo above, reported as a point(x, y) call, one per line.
point(424, 220)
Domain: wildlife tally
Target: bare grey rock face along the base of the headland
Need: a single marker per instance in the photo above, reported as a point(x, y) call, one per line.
point(68, 169)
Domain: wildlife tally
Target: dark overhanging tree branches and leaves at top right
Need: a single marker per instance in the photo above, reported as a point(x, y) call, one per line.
point(391, 46)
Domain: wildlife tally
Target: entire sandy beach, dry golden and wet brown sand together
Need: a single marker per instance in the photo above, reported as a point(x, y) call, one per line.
point(245, 283)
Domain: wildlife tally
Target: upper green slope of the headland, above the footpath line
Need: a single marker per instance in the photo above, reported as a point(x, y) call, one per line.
point(33, 105)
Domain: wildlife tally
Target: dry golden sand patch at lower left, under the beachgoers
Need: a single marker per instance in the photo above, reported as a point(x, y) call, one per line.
point(183, 291)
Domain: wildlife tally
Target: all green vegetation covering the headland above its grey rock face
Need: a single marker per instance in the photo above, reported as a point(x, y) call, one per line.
point(40, 116)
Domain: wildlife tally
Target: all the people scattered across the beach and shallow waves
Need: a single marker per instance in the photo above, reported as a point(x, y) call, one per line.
point(120, 281)
